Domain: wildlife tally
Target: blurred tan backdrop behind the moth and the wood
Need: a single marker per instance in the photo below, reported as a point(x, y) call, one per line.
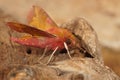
point(103, 15)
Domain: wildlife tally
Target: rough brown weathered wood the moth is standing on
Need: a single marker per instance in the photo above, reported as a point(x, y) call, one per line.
point(20, 62)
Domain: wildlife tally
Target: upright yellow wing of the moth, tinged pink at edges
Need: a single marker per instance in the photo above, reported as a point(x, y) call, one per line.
point(40, 19)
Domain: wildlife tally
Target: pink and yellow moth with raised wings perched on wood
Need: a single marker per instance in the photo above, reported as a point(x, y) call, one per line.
point(43, 32)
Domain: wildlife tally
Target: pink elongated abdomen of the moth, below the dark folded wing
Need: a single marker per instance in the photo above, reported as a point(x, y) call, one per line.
point(51, 43)
